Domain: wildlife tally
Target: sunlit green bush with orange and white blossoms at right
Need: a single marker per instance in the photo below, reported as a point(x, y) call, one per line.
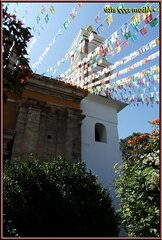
point(138, 184)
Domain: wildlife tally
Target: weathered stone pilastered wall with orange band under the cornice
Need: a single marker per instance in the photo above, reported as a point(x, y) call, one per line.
point(48, 120)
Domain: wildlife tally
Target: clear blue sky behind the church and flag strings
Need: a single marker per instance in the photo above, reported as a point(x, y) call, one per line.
point(132, 118)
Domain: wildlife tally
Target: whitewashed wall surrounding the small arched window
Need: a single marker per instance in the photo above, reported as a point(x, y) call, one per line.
point(101, 157)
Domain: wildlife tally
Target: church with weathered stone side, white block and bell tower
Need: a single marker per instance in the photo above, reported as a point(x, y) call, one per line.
point(53, 118)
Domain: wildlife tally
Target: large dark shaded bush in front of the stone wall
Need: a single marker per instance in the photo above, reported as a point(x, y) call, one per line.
point(55, 198)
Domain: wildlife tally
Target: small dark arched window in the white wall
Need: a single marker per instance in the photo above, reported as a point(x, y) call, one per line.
point(100, 133)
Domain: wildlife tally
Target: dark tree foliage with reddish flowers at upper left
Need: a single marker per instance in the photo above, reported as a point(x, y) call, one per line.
point(16, 68)
